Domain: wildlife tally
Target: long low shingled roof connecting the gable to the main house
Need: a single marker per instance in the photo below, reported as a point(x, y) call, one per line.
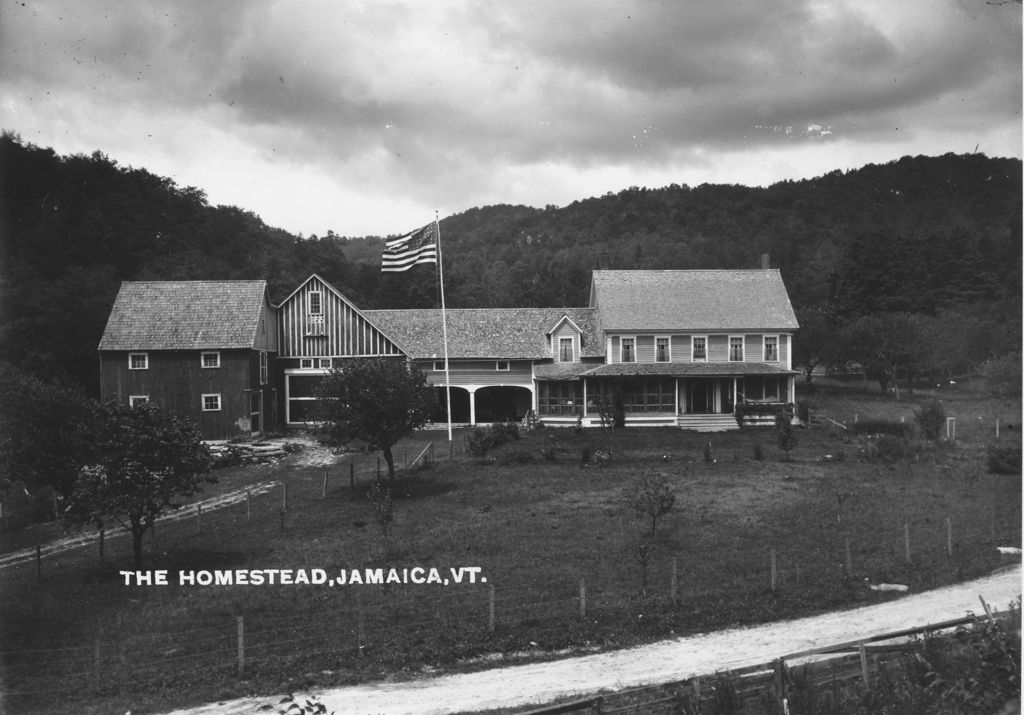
point(485, 333)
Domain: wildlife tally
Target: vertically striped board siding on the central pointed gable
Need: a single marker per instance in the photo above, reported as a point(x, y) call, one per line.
point(346, 333)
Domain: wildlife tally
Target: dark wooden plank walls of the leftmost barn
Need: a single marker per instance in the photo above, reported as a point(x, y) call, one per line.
point(176, 383)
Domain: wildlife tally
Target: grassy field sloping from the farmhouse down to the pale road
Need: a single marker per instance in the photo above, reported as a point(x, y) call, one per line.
point(570, 568)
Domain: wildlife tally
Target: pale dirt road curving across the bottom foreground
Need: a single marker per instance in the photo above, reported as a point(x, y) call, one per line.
point(661, 662)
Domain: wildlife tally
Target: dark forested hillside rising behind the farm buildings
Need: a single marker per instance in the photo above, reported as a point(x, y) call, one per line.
point(918, 237)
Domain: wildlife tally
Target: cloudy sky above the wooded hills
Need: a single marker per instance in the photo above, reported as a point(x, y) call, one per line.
point(366, 117)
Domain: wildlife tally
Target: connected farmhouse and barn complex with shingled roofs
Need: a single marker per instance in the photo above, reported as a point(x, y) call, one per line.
point(689, 349)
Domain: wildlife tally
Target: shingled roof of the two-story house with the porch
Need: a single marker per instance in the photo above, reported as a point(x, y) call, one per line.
point(698, 301)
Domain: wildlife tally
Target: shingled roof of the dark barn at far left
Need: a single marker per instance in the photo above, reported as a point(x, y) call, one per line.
point(185, 316)
